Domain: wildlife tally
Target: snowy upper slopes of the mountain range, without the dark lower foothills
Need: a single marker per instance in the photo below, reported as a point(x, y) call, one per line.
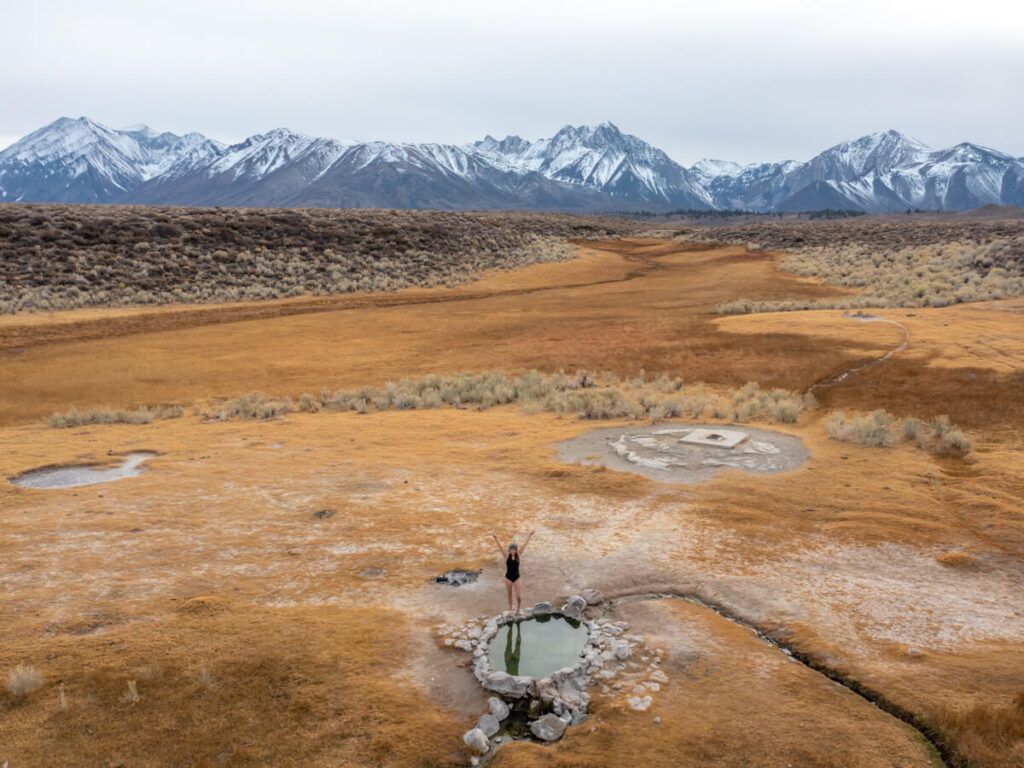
point(879, 172)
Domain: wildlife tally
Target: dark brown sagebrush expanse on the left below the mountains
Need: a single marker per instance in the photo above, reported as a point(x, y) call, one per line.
point(63, 258)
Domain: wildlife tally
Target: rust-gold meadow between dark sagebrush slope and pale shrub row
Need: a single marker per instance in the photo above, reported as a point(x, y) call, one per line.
point(650, 309)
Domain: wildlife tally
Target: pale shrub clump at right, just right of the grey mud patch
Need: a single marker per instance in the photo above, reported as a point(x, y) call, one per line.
point(883, 430)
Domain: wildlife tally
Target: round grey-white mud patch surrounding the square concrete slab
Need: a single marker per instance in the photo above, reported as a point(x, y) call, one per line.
point(661, 454)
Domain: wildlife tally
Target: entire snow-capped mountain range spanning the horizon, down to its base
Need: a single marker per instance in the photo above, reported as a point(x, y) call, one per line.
point(580, 168)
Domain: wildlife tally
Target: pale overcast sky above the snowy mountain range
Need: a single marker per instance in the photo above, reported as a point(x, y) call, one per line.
point(745, 81)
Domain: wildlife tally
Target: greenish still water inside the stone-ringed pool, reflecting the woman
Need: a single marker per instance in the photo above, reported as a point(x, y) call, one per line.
point(537, 648)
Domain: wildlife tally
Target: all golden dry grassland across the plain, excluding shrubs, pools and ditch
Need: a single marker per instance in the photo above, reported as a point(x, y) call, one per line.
point(214, 561)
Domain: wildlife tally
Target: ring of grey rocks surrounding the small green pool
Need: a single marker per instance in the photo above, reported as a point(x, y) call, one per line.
point(552, 703)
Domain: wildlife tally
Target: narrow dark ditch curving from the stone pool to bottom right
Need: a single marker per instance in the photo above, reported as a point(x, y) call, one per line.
point(943, 751)
